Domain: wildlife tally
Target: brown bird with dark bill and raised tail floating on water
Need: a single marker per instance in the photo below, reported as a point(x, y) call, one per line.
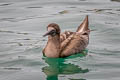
point(65, 44)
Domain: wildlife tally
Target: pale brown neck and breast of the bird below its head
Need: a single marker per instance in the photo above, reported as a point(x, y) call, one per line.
point(53, 46)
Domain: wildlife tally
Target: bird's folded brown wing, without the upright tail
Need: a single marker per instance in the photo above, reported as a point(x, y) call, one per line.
point(73, 44)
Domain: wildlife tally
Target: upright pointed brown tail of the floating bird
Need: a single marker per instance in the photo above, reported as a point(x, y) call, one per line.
point(84, 26)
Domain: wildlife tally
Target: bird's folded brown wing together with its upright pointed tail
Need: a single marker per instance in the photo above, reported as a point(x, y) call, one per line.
point(77, 41)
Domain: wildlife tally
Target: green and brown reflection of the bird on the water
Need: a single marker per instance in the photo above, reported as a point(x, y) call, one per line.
point(58, 66)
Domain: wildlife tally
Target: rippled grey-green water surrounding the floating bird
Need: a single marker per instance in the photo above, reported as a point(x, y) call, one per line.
point(23, 22)
